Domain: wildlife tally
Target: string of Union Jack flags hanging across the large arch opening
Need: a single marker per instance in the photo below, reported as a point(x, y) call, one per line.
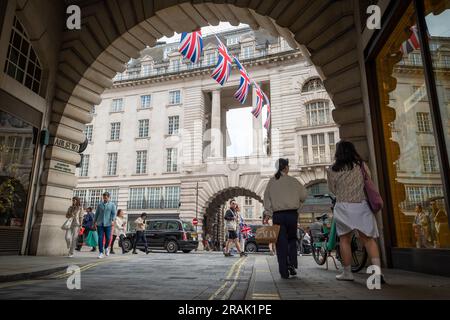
point(191, 48)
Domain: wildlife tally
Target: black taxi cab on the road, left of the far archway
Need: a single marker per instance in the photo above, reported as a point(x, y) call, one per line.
point(172, 235)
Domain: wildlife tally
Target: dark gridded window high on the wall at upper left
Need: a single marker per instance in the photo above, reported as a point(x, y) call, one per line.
point(22, 62)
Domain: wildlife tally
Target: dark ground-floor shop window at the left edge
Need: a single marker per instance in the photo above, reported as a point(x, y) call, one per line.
point(16, 161)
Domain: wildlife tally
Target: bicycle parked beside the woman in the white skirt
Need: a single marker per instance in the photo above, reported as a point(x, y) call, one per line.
point(324, 241)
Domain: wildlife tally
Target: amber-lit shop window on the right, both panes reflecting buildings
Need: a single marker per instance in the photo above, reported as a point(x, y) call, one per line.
point(409, 126)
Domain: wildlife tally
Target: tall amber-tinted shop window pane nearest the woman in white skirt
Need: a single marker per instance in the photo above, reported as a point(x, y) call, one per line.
point(411, 150)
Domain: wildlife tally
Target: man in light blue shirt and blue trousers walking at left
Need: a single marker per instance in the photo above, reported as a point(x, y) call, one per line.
point(103, 221)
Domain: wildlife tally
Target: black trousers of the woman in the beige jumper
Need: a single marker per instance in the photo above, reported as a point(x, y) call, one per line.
point(287, 240)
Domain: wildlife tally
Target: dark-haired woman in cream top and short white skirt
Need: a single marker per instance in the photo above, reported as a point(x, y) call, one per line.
point(352, 211)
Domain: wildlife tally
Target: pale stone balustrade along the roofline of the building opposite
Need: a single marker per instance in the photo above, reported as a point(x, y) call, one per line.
point(166, 68)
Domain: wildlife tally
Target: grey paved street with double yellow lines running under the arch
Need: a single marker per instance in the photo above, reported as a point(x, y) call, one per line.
point(200, 276)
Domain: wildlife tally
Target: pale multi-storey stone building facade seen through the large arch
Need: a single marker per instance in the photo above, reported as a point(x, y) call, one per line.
point(158, 141)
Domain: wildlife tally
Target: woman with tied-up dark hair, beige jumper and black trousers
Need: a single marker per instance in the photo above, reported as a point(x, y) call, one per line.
point(283, 199)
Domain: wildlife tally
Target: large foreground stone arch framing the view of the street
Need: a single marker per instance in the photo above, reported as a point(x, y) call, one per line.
point(115, 31)
